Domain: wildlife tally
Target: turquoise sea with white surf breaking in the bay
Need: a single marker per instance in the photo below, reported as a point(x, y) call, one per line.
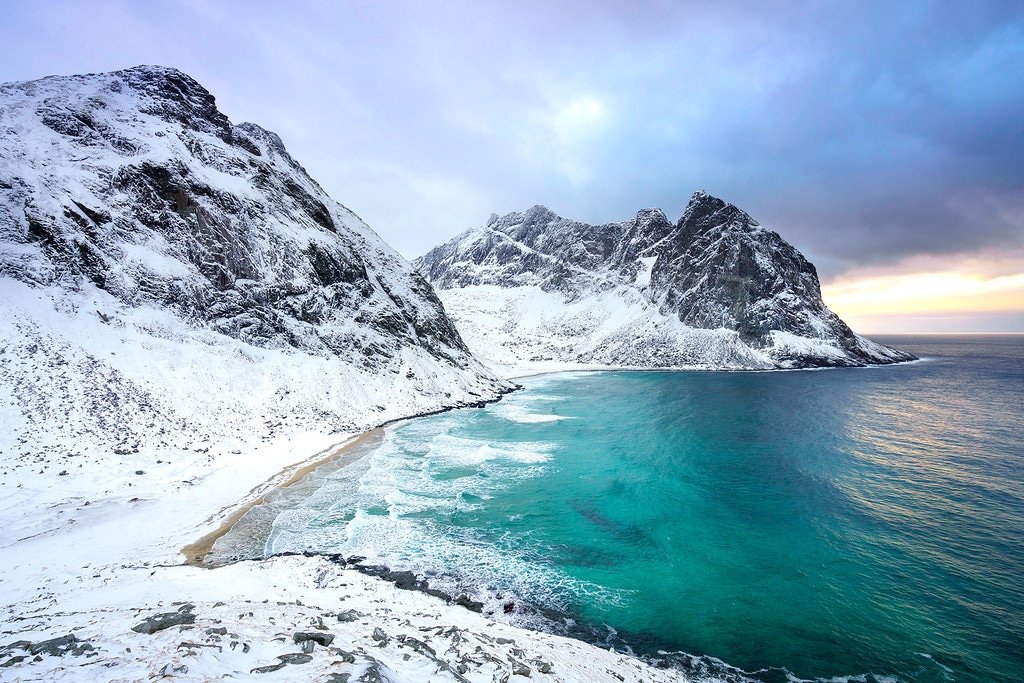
point(836, 525)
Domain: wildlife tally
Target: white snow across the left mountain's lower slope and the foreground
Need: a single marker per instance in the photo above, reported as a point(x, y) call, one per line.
point(96, 551)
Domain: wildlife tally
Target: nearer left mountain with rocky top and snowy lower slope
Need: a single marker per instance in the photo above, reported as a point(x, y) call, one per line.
point(170, 282)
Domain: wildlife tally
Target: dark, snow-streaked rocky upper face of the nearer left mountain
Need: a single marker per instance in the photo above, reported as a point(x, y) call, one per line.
point(137, 183)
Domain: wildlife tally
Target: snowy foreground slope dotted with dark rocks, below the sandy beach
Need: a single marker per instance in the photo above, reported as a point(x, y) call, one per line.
point(136, 620)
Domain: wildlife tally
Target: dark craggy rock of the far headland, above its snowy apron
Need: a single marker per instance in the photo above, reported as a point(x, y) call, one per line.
point(715, 269)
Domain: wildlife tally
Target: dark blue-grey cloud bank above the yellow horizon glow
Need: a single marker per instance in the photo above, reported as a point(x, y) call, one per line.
point(883, 135)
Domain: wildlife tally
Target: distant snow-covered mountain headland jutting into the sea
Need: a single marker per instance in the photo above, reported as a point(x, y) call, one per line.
point(713, 290)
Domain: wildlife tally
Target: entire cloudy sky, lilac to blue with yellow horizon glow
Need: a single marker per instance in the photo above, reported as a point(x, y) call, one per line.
point(884, 140)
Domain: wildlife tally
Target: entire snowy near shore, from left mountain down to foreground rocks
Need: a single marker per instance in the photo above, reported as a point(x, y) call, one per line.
point(186, 320)
